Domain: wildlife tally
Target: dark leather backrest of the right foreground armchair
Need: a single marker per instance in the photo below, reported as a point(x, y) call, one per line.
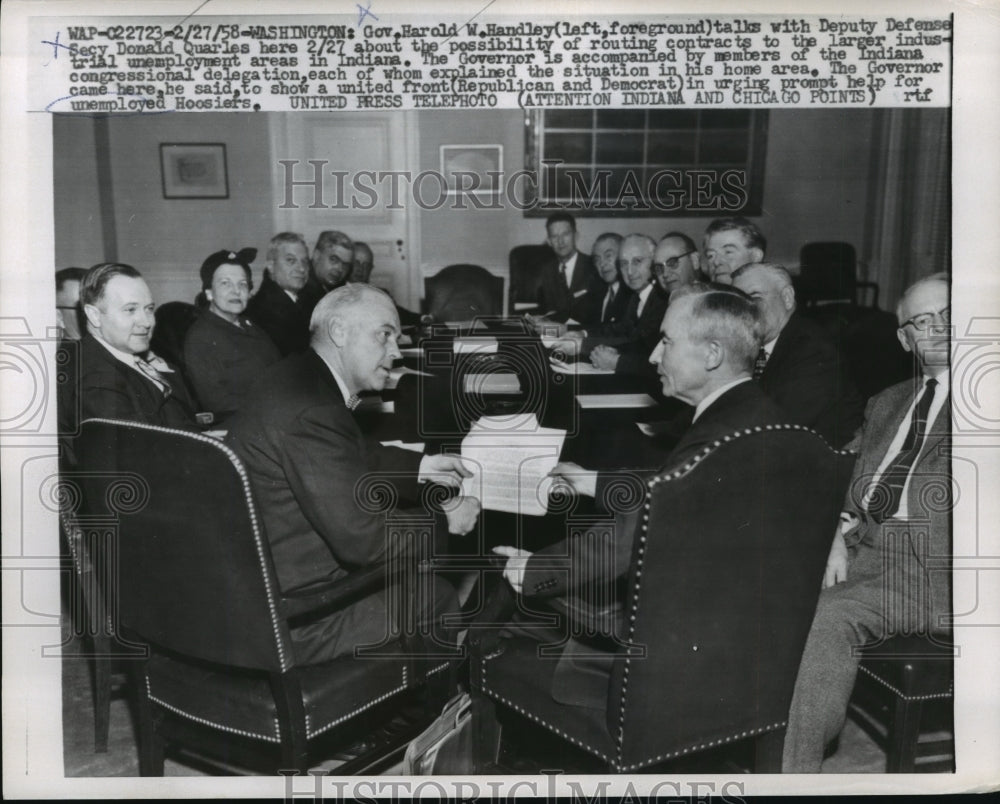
point(725, 577)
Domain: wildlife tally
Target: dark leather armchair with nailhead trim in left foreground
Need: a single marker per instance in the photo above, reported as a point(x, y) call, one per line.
point(197, 585)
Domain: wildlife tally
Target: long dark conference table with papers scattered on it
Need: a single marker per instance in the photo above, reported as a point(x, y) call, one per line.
point(455, 374)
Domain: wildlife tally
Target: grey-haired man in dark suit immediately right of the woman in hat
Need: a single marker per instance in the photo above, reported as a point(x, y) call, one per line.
point(280, 307)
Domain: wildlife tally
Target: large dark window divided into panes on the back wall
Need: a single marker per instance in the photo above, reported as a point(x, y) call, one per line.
point(636, 162)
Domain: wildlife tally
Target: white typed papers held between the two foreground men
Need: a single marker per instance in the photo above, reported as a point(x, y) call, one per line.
point(510, 458)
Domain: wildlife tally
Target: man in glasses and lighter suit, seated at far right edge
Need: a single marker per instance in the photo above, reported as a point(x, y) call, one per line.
point(889, 569)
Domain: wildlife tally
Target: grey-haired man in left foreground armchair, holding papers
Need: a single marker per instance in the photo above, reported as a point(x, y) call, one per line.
point(309, 464)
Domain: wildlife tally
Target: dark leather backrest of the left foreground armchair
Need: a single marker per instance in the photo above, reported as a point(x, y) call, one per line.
point(195, 574)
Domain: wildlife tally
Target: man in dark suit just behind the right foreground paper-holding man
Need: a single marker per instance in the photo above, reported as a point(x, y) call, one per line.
point(800, 366)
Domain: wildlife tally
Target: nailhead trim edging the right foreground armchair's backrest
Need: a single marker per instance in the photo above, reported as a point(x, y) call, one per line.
point(651, 484)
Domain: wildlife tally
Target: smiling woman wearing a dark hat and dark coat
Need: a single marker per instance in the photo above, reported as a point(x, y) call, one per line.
point(223, 351)
